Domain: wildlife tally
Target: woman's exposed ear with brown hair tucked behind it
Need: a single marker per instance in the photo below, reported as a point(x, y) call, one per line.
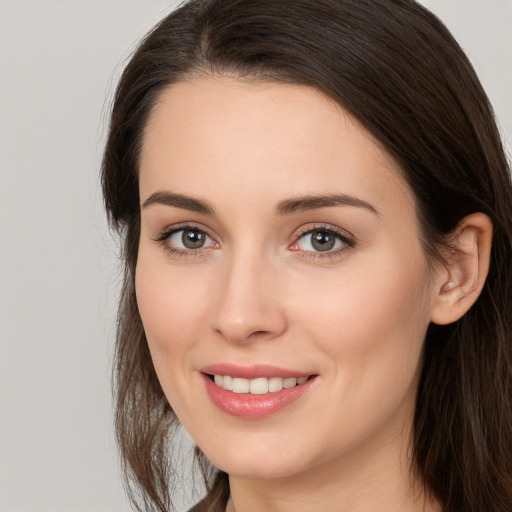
point(459, 282)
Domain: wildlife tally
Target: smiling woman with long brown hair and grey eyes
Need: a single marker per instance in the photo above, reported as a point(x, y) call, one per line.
point(316, 215)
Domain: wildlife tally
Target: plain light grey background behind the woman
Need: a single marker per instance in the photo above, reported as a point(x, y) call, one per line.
point(59, 61)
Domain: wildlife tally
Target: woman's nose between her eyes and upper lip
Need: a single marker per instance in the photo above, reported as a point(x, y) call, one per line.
point(249, 306)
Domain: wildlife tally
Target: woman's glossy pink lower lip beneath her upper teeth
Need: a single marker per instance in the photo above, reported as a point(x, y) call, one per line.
point(246, 405)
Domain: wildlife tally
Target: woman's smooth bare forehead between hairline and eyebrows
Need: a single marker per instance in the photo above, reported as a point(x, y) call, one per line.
point(262, 139)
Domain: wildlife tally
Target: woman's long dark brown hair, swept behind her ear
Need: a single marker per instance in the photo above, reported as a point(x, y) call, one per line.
point(395, 67)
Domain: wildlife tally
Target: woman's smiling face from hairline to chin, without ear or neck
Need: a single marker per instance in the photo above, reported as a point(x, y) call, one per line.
point(279, 241)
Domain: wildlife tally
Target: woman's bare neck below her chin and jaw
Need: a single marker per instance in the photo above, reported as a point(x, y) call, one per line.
point(378, 479)
